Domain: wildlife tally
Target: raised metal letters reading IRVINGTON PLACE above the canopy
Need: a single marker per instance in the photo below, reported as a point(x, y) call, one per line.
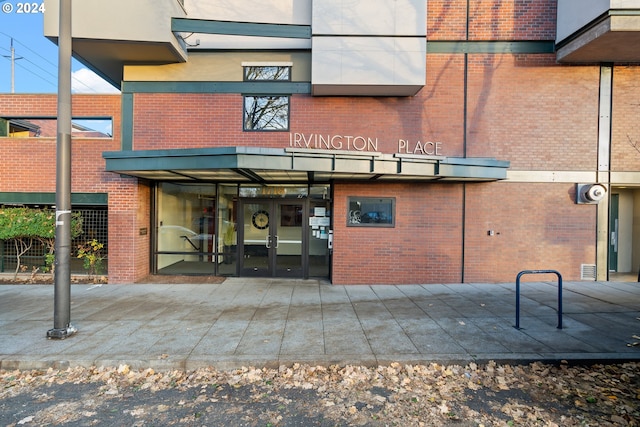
point(360, 143)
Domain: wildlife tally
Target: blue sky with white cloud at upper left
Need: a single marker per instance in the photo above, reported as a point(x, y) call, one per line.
point(36, 58)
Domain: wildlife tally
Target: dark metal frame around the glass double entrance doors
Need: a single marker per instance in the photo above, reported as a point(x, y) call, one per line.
point(272, 255)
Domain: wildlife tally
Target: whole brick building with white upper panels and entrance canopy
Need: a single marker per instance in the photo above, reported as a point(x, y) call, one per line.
point(388, 142)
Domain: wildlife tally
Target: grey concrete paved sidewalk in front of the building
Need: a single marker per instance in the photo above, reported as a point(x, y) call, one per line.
point(268, 322)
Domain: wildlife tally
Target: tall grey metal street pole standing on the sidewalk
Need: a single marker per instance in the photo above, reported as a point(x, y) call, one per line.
point(62, 277)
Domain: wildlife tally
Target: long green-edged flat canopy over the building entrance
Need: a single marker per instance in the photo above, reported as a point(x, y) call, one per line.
point(267, 165)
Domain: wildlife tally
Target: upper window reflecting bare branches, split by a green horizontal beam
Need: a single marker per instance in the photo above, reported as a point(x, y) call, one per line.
point(266, 112)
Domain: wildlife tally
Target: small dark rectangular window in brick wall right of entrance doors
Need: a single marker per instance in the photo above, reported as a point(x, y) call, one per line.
point(371, 212)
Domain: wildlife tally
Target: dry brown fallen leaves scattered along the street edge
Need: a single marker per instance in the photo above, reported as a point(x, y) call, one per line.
point(397, 394)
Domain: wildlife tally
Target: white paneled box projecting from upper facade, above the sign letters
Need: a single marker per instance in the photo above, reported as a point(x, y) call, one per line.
point(392, 54)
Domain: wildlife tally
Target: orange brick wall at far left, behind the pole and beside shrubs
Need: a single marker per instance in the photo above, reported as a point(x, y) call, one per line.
point(32, 168)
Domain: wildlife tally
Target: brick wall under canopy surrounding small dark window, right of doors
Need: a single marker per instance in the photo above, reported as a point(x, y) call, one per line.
point(425, 246)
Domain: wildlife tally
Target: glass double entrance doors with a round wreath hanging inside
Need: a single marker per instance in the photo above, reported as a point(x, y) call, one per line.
point(272, 240)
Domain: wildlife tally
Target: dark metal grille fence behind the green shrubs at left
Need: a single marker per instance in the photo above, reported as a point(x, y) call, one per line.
point(94, 226)
